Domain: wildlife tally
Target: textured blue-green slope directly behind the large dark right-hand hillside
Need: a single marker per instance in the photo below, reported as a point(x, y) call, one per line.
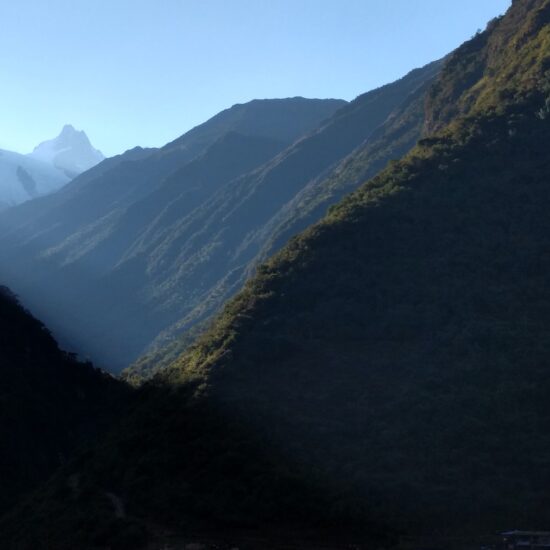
point(308, 173)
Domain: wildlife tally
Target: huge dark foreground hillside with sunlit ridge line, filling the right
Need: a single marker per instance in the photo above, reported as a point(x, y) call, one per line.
point(389, 366)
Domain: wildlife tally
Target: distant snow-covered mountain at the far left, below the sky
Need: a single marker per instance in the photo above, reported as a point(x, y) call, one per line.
point(49, 167)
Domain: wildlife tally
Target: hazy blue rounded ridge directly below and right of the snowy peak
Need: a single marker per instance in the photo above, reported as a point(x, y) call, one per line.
point(69, 256)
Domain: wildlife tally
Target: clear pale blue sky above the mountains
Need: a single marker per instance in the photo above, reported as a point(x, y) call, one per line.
point(141, 72)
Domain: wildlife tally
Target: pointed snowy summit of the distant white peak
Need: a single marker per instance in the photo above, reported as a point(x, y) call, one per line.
point(70, 152)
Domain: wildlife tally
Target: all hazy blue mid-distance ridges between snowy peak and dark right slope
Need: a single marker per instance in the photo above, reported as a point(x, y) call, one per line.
point(148, 249)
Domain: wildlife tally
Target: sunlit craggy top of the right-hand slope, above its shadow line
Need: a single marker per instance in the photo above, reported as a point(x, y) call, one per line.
point(503, 66)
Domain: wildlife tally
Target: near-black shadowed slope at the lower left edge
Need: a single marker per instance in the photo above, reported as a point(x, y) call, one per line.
point(49, 403)
